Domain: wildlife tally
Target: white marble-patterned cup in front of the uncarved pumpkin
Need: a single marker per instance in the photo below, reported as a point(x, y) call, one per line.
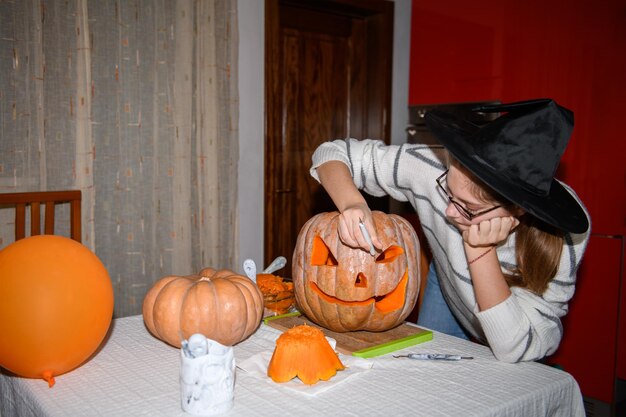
point(207, 380)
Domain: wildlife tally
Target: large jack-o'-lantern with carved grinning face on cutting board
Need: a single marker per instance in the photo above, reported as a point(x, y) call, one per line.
point(347, 289)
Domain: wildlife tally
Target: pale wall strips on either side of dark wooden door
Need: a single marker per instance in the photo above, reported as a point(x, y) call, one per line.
point(251, 18)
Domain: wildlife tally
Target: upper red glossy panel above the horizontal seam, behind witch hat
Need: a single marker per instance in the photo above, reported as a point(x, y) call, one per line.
point(571, 50)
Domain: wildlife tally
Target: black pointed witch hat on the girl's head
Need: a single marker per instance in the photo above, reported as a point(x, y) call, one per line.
point(517, 155)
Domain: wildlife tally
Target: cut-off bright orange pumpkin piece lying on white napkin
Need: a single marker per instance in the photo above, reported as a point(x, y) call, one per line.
point(303, 352)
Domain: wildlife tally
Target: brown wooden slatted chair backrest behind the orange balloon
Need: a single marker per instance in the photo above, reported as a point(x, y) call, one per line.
point(49, 199)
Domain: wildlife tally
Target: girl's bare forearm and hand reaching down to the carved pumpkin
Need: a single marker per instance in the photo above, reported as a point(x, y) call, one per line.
point(336, 179)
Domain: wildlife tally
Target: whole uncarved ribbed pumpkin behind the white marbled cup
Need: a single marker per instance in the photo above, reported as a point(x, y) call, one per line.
point(221, 305)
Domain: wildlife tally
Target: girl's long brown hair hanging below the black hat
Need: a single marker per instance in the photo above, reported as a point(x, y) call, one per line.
point(538, 245)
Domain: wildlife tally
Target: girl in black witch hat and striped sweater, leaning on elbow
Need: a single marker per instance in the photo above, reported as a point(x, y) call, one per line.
point(506, 237)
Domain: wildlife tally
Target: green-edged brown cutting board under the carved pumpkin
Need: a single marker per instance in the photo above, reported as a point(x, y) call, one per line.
point(361, 343)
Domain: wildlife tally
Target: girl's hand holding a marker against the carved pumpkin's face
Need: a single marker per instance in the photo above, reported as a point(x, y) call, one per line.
point(350, 232)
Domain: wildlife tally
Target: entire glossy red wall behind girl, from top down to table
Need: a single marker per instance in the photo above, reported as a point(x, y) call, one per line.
point(575, 52)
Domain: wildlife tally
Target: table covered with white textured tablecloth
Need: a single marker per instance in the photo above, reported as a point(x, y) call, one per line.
point(135, 374)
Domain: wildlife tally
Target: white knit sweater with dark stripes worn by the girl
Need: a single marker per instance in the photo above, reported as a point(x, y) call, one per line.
point(525, 326)
